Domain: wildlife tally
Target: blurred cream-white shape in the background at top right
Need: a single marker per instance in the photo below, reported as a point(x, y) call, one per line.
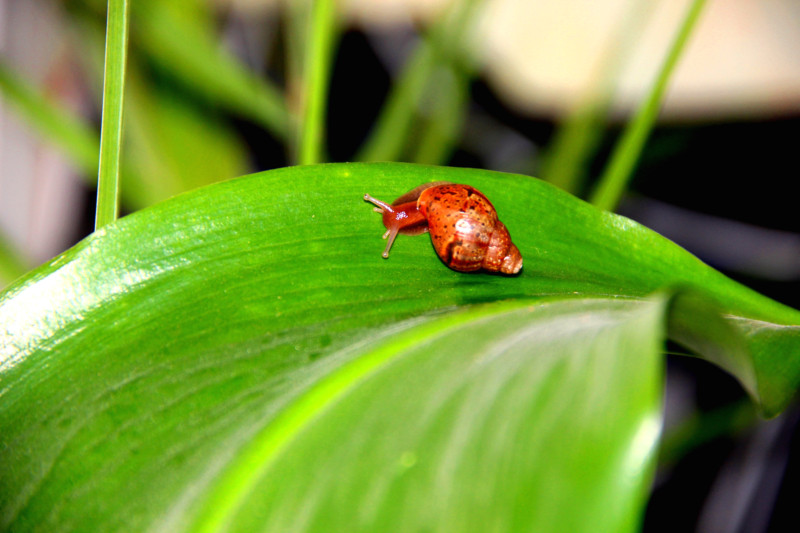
point(541, 55)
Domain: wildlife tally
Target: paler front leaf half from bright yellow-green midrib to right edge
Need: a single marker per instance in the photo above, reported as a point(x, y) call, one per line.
point(473, 422)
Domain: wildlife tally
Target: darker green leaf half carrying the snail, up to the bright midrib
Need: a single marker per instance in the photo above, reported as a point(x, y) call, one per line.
point(148, 358)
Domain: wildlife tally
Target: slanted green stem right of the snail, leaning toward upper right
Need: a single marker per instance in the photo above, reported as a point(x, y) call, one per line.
point(618, 171)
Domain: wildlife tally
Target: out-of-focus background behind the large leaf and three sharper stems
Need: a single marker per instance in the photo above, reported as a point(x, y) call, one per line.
point(539, 87)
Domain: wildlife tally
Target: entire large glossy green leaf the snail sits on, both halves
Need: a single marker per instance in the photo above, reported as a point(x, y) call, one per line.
point(187, 355)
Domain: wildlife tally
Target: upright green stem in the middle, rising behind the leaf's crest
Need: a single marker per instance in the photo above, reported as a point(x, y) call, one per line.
point(318, 62)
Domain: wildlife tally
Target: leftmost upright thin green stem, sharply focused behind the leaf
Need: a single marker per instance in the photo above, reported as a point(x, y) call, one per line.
point(111, 124)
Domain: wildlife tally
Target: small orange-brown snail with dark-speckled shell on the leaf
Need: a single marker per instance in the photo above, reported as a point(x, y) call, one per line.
point(463, 224)
